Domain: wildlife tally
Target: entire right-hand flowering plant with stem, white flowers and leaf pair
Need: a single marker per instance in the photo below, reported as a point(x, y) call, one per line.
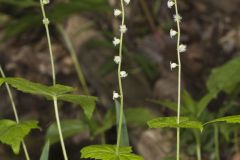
point(176, 122)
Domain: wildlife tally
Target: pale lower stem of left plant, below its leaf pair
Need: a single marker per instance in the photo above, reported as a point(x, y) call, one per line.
point(59, 128)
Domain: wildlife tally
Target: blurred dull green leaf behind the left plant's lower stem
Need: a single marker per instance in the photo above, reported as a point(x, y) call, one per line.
point(69, 128)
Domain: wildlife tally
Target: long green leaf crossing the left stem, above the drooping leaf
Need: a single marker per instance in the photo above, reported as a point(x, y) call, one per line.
point(27, 86)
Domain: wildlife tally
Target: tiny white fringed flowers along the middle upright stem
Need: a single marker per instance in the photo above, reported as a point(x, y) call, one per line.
point(116, 42)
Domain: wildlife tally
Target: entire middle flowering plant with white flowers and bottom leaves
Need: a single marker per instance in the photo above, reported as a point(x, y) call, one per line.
point(106, 152)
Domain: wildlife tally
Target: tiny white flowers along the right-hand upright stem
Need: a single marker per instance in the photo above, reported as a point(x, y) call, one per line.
point(177, 18)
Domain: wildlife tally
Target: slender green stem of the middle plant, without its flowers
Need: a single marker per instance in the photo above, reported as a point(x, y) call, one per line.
point(120, 81)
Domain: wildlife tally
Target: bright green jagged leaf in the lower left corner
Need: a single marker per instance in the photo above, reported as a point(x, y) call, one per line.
point(13, 134)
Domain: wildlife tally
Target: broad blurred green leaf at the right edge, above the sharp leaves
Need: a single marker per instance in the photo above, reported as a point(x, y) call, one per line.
point(225, 76)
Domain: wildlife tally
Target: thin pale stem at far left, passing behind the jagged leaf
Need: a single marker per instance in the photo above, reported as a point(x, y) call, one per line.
point(14, 111)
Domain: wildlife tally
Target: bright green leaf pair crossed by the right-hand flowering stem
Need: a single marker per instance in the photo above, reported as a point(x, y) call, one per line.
point(171, 122)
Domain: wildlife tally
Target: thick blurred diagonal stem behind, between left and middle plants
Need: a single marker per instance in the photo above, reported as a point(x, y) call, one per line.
point(73, 54)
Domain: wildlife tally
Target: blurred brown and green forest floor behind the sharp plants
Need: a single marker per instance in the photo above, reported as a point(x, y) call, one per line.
point(211, 70)
